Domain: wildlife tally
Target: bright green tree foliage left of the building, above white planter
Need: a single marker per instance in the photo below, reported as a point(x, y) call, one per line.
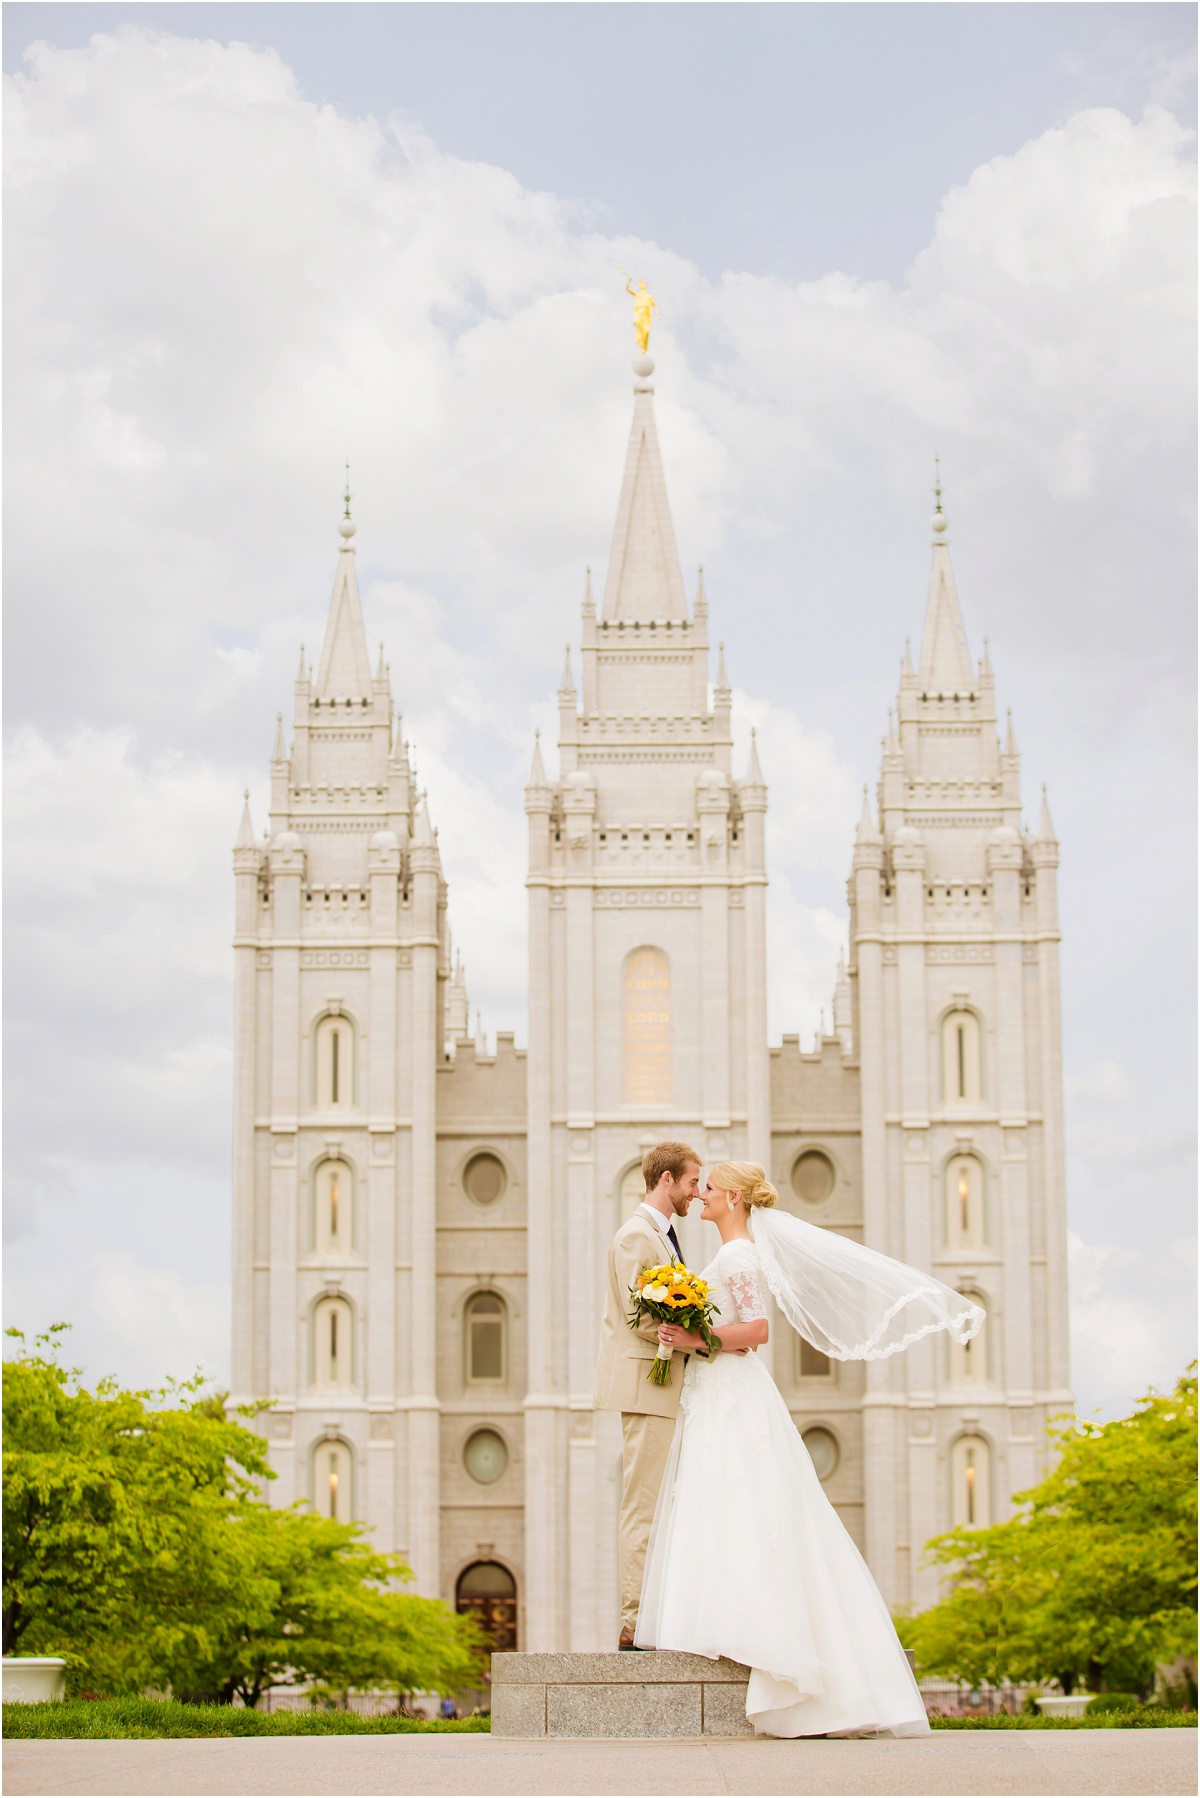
point(138, 1545)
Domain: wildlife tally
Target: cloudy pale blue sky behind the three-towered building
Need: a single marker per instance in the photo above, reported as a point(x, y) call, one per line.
point(246, 244)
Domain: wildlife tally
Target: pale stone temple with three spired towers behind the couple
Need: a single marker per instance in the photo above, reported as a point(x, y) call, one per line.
point(420, 1227)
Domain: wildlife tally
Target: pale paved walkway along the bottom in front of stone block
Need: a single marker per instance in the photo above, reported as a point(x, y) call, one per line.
point(1111, 1763)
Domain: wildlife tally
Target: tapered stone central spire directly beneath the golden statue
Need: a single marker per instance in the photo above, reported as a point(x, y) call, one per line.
point(645, 578)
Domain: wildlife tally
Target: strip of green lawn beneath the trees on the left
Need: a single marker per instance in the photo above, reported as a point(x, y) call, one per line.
point(132, 1718)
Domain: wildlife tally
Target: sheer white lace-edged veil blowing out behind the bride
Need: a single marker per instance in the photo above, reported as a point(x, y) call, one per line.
point(850, 1301)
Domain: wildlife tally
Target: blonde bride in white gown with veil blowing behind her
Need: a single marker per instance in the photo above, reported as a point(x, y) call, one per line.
point(748, 1556)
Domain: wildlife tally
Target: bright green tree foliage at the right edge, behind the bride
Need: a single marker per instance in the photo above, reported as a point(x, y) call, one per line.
point(1095, 1580)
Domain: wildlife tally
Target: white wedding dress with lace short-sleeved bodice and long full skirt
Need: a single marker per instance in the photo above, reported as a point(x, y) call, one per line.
point(749, 1560)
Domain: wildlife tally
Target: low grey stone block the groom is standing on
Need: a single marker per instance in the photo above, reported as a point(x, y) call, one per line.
point(649, 1695)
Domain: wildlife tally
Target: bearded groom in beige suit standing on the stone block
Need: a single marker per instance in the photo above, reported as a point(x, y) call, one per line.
point(672, 1175)
